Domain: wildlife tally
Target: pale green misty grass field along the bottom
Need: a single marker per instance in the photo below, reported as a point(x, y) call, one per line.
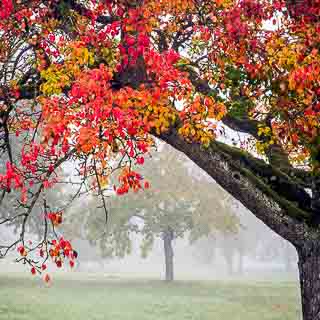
point(85, 298)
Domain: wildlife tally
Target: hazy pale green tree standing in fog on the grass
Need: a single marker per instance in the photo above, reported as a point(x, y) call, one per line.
point(176, 204)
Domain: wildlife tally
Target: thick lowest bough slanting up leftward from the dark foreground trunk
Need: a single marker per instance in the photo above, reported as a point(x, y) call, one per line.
point(281, 215)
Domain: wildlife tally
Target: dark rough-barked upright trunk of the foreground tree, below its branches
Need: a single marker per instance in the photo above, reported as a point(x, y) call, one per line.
point(309, 272)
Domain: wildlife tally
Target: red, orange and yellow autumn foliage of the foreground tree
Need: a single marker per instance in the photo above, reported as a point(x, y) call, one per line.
point(94, 81)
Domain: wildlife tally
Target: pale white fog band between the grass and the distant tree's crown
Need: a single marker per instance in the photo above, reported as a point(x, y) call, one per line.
point(207, 258)
